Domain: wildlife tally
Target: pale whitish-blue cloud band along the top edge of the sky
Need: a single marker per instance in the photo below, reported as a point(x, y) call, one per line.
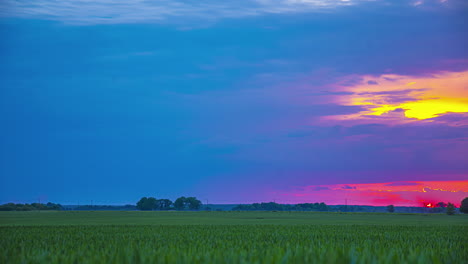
point(160, 11)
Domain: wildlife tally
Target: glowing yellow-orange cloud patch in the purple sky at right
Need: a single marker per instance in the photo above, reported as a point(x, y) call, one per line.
point(418, 98)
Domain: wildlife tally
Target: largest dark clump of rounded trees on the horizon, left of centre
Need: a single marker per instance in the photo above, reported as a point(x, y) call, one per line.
point(181, 203)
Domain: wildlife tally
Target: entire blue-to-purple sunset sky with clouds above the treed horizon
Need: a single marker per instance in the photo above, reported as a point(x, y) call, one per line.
point(338, 101)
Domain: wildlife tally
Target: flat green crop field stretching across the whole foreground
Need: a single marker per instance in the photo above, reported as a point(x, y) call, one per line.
point(231, 237)
